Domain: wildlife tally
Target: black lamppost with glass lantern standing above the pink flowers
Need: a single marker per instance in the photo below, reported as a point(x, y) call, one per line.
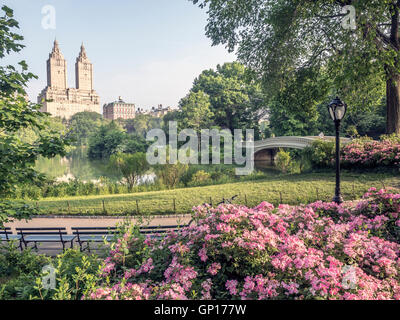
point(337, 110)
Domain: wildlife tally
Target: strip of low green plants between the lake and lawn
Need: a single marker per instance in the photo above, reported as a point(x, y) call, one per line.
point(164, 177)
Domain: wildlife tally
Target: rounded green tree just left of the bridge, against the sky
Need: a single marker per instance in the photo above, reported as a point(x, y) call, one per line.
point(226, 98)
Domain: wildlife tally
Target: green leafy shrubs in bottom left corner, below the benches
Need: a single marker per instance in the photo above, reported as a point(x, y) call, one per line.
point(21, 274)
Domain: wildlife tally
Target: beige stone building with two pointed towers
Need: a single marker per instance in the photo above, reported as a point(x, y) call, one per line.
point(61, 101)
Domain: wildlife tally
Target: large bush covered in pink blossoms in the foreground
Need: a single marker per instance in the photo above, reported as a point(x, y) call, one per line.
point(315, 251)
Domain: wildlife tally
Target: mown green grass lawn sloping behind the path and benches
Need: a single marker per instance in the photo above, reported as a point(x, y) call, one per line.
point(294, 189)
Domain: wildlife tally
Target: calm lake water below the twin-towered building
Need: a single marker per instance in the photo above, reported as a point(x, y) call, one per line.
point(76, 165)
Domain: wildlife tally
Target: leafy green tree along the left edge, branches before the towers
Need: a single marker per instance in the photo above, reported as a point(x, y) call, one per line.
point(18, 155)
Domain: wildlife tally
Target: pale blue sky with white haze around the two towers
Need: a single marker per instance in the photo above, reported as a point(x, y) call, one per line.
point(146, 51)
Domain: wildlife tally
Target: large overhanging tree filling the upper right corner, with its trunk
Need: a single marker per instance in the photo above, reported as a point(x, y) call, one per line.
point(278, 39)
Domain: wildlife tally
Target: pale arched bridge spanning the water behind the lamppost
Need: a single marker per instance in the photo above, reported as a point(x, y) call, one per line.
point(265, 150)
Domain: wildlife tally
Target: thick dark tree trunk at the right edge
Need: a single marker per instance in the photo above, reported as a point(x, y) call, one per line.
point(393, 104)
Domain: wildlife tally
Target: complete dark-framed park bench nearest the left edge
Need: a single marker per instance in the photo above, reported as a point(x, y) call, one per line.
point(40, 235)
